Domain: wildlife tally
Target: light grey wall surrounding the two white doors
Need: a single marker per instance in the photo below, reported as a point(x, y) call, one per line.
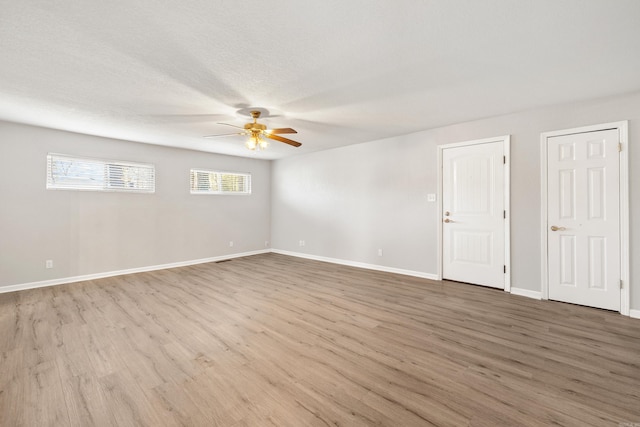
point(348, 202)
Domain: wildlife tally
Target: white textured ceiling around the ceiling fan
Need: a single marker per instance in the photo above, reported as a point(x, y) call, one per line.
point(340, 72)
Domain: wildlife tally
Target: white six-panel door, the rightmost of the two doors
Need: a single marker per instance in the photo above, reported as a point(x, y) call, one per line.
point(583, 215)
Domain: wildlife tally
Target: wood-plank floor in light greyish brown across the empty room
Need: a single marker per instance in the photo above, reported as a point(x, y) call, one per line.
point(275, 340)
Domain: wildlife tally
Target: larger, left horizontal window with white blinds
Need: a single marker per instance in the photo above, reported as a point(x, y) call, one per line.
point(75, 173)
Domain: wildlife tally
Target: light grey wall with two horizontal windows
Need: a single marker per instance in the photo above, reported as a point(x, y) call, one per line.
point(90, 232)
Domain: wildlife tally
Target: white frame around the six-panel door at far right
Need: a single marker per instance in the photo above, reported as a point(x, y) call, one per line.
point(622, 128)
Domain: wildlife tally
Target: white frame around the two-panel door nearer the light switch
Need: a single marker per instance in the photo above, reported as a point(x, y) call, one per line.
point(506, 141)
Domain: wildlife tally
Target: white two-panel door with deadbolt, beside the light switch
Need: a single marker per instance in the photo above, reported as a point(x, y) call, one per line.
point(473, 213)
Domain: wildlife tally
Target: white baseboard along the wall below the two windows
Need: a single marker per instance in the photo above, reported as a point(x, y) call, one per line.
point(63, 280)
